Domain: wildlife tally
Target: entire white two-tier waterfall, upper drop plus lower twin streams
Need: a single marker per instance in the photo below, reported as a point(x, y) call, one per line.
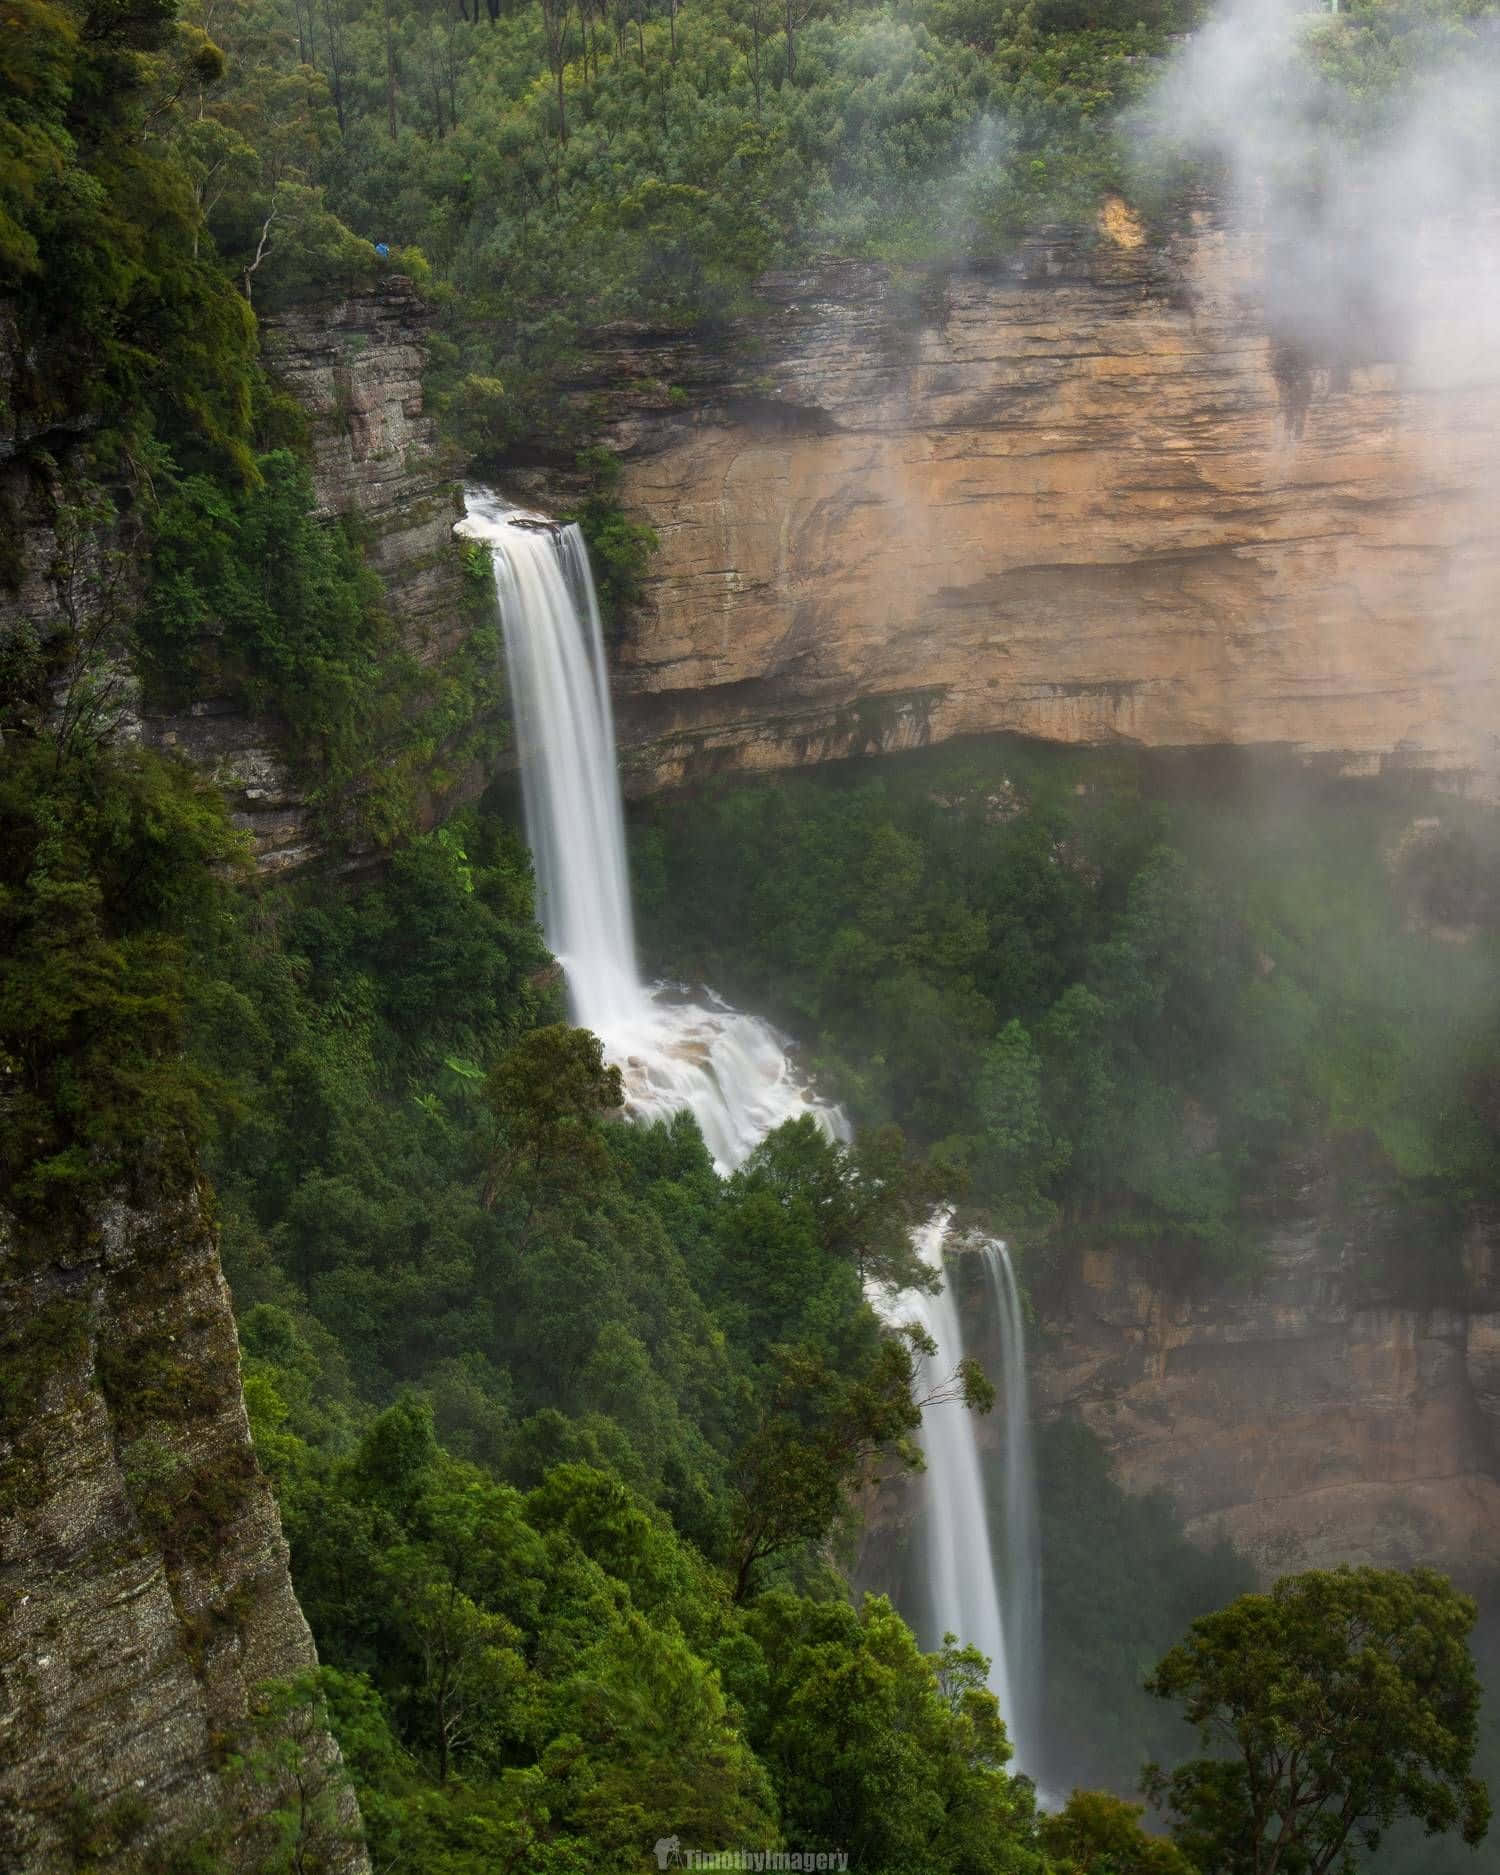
point(734, 1072)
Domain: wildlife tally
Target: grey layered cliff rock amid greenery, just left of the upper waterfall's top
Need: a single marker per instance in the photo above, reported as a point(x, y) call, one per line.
point(357, 370)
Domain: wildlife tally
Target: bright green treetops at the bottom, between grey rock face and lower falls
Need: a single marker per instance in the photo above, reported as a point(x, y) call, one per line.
point(560, 1677)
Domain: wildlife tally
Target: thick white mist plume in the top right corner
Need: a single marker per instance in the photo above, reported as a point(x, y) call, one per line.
point(1381, 205)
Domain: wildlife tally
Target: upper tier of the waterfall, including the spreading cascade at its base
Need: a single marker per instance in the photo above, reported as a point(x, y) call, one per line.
point(730, 1070)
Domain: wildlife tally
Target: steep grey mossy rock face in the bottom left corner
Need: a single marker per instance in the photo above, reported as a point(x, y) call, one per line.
point(149, 1632)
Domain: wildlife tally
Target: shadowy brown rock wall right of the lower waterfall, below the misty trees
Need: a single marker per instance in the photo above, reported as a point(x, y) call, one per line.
point(1321, 1413)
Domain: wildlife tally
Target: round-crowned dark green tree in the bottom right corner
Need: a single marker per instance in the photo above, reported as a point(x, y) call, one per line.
point(1336, 1705)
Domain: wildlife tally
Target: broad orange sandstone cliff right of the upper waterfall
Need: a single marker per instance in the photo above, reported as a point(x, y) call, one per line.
point(1085, 498)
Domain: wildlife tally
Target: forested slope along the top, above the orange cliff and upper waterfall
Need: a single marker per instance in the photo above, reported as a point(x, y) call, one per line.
point(567, 172)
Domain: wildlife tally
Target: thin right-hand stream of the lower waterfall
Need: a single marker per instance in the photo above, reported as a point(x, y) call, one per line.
point(1023, 1568)
